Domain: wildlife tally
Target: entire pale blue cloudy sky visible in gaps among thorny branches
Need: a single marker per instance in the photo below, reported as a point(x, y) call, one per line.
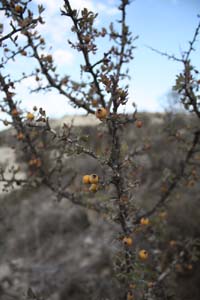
point(166, 25)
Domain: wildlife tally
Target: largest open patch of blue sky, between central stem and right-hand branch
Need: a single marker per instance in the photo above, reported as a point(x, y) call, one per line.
point(166, 25)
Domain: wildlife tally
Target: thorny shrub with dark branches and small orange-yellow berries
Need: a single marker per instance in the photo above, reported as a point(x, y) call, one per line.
point(102, 92)
